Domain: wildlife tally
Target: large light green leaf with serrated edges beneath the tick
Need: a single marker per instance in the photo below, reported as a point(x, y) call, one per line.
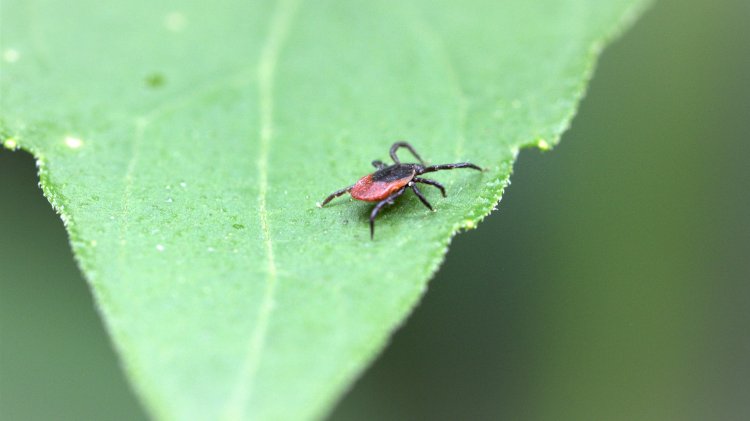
point(186, 146)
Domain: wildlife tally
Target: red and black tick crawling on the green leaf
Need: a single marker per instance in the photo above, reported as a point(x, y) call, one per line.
point(391, 181)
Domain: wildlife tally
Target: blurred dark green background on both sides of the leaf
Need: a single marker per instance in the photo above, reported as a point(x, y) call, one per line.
point(613, 283)
